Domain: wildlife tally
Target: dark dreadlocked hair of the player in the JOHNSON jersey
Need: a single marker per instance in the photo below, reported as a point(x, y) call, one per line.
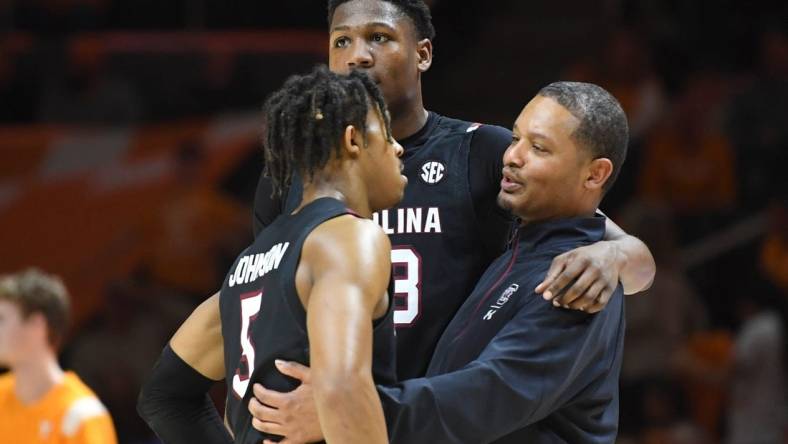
point(306, 118)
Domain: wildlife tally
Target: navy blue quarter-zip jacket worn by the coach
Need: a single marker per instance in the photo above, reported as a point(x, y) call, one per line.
point(510, 367)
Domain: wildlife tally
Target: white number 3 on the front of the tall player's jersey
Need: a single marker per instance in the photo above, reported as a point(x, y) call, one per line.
point(407, 284)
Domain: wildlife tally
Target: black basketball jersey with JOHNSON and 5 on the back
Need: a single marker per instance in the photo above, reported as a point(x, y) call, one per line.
point(263, 318)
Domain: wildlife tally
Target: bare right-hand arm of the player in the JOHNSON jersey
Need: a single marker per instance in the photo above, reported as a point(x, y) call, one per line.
point(347, 260)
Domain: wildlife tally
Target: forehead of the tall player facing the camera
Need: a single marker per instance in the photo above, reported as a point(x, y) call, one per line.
point(358, 14)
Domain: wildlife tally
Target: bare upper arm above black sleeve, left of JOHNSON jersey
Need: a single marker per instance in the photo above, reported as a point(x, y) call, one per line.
point(198, 341)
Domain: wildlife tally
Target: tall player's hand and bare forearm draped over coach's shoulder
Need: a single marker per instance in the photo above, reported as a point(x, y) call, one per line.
point(585, 278)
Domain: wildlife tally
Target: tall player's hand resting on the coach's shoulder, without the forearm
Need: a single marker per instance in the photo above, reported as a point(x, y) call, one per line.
point(584, 278)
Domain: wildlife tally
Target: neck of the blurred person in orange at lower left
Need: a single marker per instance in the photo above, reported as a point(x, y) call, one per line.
point(36, 376)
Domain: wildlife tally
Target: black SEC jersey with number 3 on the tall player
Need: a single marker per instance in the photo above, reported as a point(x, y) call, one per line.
point(437, 250)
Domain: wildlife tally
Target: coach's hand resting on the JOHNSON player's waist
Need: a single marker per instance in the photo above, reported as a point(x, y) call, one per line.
point(292, 414)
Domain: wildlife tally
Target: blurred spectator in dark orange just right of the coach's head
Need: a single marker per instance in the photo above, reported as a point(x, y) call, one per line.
point(688, 162)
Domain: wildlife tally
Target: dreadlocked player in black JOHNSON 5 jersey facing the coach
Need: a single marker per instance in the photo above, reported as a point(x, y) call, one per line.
point(313, 285)
